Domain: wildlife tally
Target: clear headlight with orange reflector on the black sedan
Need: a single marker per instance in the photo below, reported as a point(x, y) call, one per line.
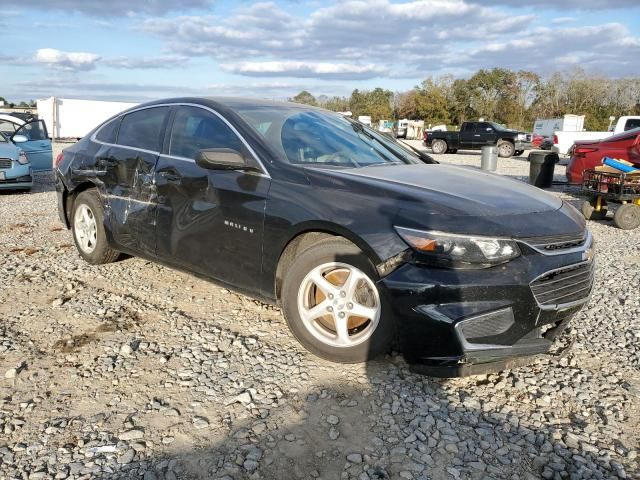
point(460, 251)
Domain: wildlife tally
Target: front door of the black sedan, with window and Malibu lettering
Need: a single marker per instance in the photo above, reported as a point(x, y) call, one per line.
point(210, 221)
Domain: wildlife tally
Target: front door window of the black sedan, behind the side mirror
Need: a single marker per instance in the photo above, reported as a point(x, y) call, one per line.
point(196, 129)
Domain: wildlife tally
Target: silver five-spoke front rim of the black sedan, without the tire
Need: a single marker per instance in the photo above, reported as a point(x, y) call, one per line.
point(339, 304)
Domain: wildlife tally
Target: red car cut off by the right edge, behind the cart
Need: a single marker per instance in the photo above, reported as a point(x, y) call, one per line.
point(588, 153)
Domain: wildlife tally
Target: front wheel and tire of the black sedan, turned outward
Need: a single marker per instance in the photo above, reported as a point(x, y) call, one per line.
point(333, 306)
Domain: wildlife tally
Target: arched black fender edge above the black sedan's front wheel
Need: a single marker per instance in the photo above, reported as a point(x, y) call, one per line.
point(308, 234)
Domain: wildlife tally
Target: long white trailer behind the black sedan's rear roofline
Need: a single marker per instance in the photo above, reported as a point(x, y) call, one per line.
point(73, 118)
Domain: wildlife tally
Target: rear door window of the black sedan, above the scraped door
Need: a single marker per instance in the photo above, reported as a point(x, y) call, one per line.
point(143, 129)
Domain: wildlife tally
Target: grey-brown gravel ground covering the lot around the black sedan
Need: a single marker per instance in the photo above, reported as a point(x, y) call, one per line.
point(134, 370)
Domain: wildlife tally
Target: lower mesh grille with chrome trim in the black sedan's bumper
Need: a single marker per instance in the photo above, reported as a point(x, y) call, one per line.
point(564, 286)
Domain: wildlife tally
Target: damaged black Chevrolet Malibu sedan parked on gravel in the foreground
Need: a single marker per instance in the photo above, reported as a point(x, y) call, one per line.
point(356, 237)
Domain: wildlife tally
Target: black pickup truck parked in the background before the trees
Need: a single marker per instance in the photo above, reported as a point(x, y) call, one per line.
point(475, 135)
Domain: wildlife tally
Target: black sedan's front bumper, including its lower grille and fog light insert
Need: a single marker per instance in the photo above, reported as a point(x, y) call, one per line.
point(464, 322)
